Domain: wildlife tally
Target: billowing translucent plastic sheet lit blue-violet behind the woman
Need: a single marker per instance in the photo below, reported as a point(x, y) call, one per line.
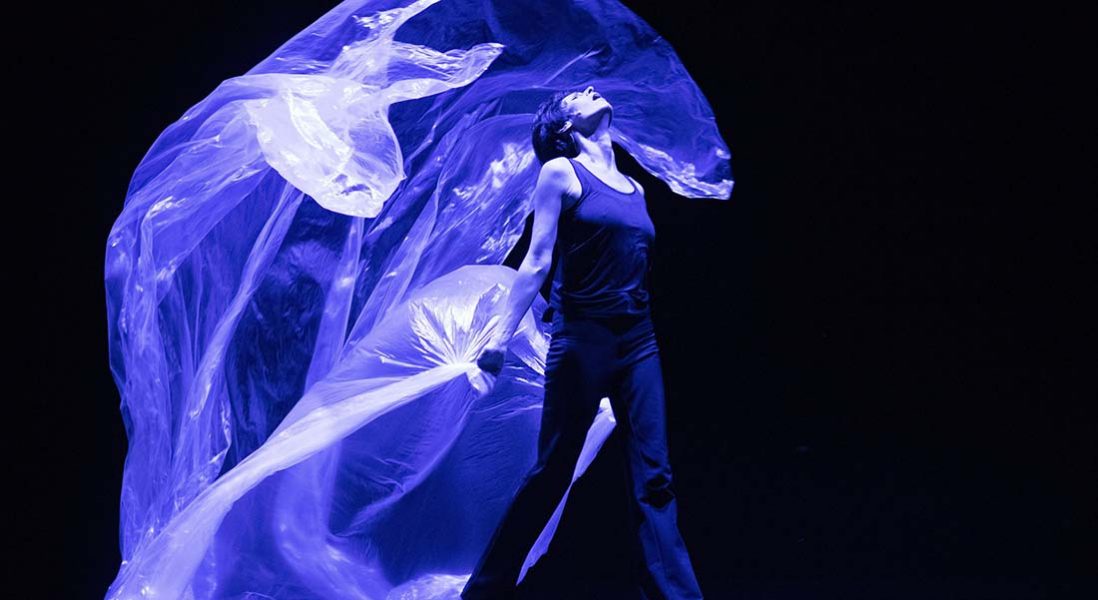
point(306, 269)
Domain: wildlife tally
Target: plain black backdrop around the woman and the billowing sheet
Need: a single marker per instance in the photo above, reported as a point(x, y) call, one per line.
point(879, 353)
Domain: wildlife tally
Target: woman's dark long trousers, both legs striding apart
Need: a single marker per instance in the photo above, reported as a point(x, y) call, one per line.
point(589, 360)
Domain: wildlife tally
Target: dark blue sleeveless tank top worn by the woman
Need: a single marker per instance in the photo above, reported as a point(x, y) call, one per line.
point(603, 253)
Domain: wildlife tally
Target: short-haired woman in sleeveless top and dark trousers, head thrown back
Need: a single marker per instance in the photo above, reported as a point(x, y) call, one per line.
point(603, 345)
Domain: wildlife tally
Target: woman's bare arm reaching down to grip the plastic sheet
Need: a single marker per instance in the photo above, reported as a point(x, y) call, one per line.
point(550, 193)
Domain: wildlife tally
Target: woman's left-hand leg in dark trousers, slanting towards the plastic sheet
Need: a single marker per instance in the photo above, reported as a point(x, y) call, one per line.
point(577, 380)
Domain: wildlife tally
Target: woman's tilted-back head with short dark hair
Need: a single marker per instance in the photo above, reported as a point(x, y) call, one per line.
point(562, 116)
